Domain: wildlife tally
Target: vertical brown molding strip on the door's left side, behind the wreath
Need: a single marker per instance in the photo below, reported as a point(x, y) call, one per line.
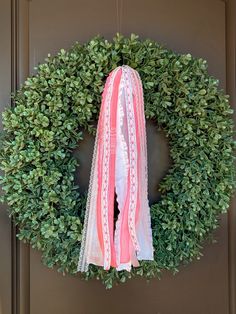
point(19, 71)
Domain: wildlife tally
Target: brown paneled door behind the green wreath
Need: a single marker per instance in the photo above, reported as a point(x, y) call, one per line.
point(30, 29)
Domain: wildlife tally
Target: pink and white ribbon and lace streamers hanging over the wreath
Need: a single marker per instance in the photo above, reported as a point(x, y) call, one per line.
point(119, 166)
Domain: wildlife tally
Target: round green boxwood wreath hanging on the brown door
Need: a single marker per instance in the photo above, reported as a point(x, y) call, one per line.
point(54, 106)
